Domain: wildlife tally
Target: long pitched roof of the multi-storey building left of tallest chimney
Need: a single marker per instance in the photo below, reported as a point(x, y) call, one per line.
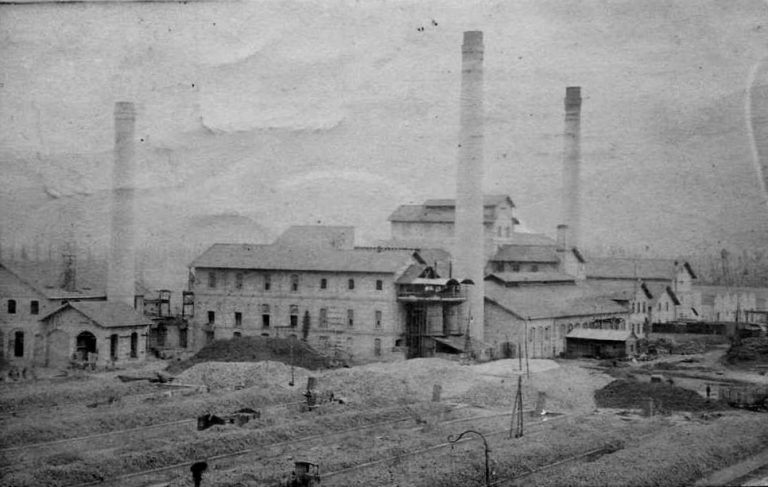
point(278, 257)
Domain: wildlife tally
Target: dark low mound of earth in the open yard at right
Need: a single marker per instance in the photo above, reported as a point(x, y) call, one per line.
point(626, 394)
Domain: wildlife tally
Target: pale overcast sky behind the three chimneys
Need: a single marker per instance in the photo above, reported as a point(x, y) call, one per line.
point(337, 112)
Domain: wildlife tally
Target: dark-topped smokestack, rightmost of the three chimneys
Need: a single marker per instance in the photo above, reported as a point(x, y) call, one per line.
point(571, 213)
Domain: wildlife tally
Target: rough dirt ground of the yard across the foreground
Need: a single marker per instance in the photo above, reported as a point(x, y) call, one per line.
point(476, 396)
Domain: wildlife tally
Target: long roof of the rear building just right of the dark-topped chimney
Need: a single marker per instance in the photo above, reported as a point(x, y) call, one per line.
point(628, 268)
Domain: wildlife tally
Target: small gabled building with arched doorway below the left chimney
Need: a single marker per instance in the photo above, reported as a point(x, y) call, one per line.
point(98, 332)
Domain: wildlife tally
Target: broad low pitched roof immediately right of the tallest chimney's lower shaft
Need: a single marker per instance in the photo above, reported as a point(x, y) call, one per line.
point(550, 302)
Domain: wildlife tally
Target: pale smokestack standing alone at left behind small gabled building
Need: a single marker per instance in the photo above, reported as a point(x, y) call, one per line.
point(121, 277)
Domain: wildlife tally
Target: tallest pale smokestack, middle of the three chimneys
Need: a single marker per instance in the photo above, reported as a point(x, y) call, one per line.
point(469, 230)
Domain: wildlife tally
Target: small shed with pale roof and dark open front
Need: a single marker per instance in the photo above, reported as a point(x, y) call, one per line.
point(596, 342)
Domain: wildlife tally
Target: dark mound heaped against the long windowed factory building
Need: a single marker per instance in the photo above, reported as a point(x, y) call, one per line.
point(289, 351)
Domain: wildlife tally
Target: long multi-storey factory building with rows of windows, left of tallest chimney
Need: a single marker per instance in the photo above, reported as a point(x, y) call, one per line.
point(312, 283)
